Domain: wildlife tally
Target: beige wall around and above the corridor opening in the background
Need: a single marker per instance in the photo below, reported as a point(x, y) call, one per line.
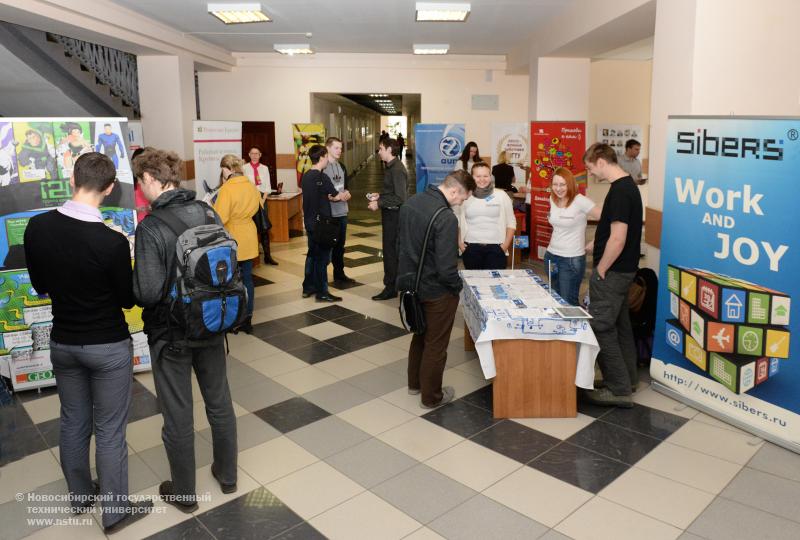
point(278, 89)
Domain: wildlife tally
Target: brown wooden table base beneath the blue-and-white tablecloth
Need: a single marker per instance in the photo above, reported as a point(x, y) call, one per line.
point(535, 378)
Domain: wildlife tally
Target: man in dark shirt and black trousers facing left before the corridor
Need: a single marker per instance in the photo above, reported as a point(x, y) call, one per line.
point(394, 194)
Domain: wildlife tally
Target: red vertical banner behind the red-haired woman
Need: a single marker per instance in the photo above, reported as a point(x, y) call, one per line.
point(553, 145)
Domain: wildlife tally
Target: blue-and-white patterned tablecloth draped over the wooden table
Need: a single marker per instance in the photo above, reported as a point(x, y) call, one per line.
point(518, 304)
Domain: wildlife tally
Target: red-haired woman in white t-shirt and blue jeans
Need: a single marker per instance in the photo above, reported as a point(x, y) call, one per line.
point(566, 254)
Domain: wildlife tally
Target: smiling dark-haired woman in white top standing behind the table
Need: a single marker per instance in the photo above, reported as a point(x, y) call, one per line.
point(486, 224)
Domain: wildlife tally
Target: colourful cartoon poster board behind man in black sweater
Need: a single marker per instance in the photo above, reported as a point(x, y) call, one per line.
point(38, 155)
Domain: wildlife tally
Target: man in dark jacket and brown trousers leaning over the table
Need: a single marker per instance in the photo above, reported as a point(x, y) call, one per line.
point(439, 282)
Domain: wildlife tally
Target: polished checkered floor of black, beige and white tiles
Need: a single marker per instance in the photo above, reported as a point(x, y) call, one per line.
point(332, 446)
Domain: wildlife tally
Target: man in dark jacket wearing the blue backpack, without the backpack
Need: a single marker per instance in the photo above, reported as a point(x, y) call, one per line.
point(173, 356)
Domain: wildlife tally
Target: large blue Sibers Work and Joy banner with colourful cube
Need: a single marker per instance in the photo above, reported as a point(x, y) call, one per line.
point(727, 338)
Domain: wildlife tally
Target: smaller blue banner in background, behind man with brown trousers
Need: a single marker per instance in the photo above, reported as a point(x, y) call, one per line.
point(438, 147)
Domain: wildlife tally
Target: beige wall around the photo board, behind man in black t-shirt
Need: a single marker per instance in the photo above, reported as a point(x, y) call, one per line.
point(619, 93)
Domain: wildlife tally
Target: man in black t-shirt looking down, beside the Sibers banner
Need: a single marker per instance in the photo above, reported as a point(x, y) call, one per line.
point(616, 259)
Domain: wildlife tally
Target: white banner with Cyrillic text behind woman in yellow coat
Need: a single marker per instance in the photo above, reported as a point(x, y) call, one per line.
point(213, 140)
